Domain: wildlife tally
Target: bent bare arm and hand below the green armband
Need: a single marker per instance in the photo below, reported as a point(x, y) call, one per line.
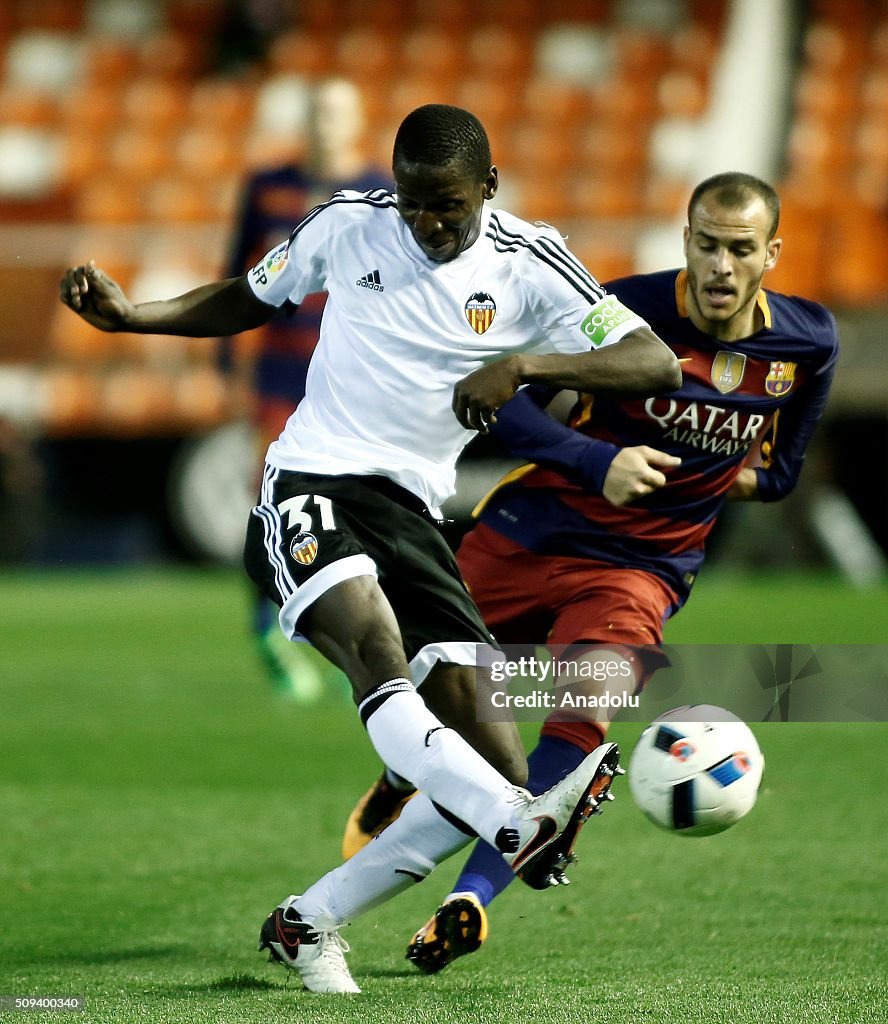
point(639, 365)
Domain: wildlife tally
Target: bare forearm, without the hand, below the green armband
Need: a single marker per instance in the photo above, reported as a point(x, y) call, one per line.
point(640, 365)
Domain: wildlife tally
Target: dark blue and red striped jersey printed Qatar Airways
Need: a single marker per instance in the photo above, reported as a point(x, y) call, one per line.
point(753, 402)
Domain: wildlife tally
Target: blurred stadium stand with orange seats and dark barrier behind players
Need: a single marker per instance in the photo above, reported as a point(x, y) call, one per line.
point(128, 127)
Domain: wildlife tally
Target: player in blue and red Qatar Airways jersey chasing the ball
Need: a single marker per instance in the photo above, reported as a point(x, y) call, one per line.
point(599, 541)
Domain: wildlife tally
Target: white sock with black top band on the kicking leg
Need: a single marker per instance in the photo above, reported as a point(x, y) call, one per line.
point(413, 743)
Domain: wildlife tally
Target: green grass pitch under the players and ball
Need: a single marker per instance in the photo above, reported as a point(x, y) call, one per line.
point(157, 799)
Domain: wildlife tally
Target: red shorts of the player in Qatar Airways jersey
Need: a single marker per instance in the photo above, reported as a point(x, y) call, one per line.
point(529, 599)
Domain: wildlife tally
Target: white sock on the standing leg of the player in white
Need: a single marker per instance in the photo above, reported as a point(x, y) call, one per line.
point(401, 857)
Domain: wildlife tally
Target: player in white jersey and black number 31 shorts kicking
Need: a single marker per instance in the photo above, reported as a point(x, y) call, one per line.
point(439, 311)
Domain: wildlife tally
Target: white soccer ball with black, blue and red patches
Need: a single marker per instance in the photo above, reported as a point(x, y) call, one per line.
point(696, 771)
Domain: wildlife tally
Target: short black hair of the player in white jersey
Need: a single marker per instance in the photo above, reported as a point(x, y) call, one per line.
point(439, 135)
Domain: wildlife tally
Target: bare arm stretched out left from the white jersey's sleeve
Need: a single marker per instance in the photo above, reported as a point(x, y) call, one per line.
point(218, 309)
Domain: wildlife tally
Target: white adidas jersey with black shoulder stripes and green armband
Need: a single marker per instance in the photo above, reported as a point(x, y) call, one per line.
point(400, 331)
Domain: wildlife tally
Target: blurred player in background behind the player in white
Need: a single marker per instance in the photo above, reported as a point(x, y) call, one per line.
point(276, 361)
